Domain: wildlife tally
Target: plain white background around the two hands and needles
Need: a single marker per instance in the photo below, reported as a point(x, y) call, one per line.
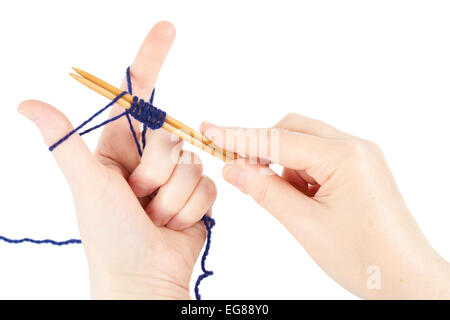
point(377, 69)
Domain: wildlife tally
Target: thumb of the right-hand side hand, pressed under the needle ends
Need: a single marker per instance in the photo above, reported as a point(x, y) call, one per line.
point(272, 192)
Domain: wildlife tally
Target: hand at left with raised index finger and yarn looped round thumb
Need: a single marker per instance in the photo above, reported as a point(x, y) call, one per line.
point(139, 219)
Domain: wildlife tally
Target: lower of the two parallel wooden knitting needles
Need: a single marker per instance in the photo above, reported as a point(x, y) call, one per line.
point(210, 148)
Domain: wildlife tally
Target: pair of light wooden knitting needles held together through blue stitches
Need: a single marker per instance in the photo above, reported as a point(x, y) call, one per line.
point(170, 124)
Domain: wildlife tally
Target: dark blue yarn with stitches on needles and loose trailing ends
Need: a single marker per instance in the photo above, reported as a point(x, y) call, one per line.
point(150, 117)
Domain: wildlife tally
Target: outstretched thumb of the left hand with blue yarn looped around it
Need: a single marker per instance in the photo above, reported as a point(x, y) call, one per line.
point(73, 157)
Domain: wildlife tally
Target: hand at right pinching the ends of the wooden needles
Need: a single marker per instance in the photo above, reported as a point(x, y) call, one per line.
point(339, 200)
